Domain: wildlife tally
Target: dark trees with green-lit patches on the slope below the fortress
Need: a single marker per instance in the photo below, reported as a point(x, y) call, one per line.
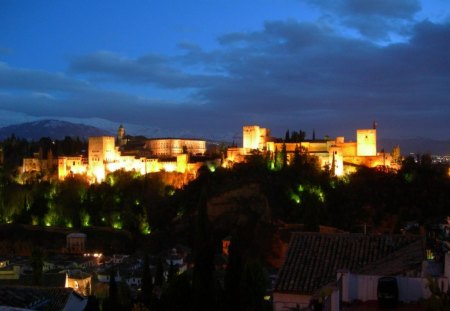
point(144, 204)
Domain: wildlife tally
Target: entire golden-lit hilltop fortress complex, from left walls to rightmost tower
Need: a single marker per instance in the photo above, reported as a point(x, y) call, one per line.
point(108, 154)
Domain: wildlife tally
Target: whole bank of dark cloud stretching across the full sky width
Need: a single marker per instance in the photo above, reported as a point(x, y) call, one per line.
point(287, 75)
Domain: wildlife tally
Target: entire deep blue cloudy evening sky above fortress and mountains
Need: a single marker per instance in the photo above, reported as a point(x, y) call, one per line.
point(205, 68)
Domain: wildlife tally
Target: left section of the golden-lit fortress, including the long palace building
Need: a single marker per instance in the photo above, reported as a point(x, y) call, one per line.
point(104, 156)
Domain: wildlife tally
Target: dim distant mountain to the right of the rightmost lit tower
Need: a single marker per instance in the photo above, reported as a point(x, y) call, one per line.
point(417, 145)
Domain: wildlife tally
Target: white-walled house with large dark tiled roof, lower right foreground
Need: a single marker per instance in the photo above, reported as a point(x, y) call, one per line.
point(318, 265)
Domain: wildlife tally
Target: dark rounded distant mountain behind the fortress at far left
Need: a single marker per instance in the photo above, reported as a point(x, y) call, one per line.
point(54, 129)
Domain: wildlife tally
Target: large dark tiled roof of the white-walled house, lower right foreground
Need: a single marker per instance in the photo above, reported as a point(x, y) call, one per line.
point(313, 259)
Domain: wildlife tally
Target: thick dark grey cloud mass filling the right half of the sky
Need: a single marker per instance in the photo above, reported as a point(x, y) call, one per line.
point(291, 68)
